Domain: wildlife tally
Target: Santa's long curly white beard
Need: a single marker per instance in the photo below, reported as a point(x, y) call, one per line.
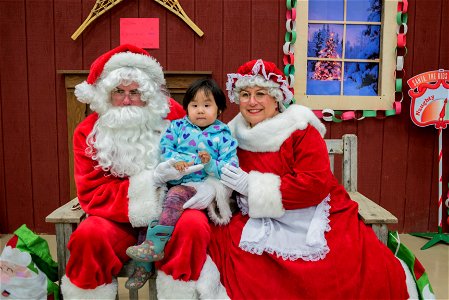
point(125, 140)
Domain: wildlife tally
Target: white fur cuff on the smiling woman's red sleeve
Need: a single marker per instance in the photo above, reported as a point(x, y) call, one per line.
point(264, 195)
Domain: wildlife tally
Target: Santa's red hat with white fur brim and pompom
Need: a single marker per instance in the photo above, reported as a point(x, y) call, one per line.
point(122, 56)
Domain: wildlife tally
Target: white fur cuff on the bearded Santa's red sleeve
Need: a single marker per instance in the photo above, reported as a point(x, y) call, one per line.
point(145, 199)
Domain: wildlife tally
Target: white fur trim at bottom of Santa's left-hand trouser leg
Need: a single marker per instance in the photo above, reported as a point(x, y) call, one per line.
point(71, 291)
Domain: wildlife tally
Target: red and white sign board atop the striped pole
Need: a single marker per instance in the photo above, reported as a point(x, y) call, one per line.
point(430, 93)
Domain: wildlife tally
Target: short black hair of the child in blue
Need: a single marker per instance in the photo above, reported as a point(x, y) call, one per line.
point(208, 85)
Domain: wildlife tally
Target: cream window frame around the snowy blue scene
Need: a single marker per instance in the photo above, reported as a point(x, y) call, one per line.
point(387, 64)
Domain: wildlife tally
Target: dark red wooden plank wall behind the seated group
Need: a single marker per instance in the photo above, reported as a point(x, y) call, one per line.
point(397, 160)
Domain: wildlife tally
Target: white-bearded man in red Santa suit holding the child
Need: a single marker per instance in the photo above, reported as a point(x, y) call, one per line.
point(116, 152)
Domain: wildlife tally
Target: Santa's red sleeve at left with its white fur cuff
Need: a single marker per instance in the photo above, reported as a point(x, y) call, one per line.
point(132, 199)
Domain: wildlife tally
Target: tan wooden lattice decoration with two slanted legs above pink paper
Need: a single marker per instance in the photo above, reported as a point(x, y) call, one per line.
point(102, 6)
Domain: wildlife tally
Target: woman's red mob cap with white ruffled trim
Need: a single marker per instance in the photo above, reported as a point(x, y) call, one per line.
point(265, 69)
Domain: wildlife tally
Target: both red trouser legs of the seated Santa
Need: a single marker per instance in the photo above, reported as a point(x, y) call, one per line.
point(98, 249)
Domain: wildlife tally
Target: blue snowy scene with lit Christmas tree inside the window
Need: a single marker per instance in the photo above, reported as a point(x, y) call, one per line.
point(362, 42)
